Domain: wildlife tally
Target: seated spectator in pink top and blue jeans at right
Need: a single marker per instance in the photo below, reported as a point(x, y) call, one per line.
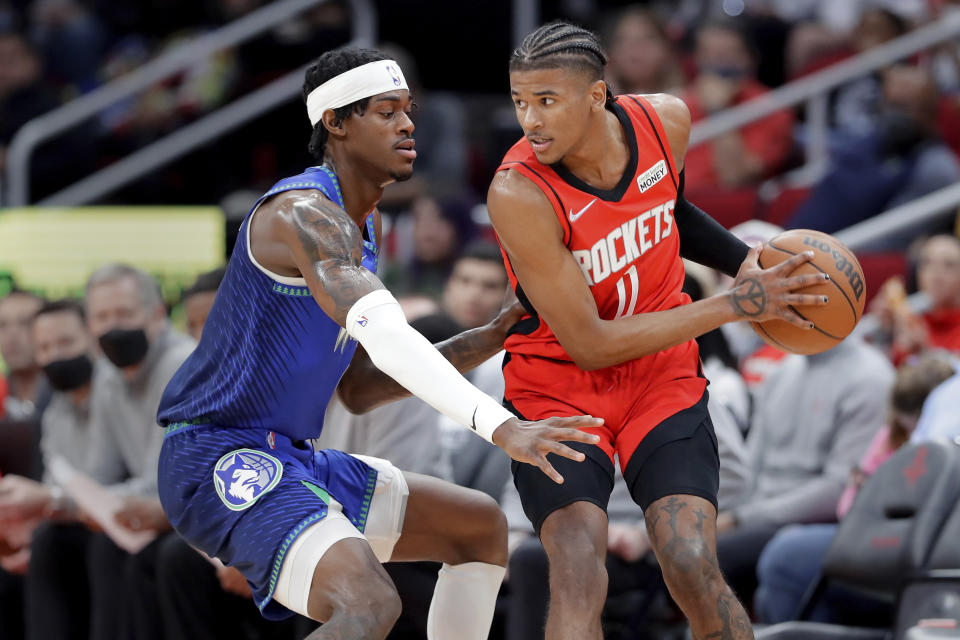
point(791, 561)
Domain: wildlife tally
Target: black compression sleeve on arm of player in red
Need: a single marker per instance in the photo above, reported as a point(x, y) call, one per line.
point(704, 240)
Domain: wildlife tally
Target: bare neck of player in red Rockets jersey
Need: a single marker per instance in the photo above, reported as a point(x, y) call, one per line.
point(602, 156)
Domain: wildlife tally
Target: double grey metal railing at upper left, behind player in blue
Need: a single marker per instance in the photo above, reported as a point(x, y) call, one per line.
point(51, 124)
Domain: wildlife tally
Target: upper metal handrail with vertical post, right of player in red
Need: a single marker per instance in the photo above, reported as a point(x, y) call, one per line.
point(814, 88)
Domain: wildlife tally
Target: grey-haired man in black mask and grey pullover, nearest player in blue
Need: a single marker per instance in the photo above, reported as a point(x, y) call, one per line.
point(127, 317)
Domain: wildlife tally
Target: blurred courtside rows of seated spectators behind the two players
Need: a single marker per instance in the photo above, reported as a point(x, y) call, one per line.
point(797, 435)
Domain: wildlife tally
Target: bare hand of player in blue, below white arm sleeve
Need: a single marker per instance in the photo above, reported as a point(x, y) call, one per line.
point(530, 442)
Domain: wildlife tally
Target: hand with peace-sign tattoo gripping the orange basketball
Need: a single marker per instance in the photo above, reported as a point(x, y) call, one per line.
point(770, 294)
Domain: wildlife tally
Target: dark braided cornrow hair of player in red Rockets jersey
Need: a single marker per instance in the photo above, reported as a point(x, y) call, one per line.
point(561, 44)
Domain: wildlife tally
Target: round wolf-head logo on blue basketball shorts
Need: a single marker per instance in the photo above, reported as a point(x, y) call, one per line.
point(242, 476)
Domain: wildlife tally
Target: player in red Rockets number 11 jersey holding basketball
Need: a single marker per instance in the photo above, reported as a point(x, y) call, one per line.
point(591, 217)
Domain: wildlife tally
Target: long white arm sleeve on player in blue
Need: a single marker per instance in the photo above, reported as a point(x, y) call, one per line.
point(377, 322)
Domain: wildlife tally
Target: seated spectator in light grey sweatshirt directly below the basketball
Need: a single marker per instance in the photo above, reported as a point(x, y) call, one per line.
point(813, 419)
